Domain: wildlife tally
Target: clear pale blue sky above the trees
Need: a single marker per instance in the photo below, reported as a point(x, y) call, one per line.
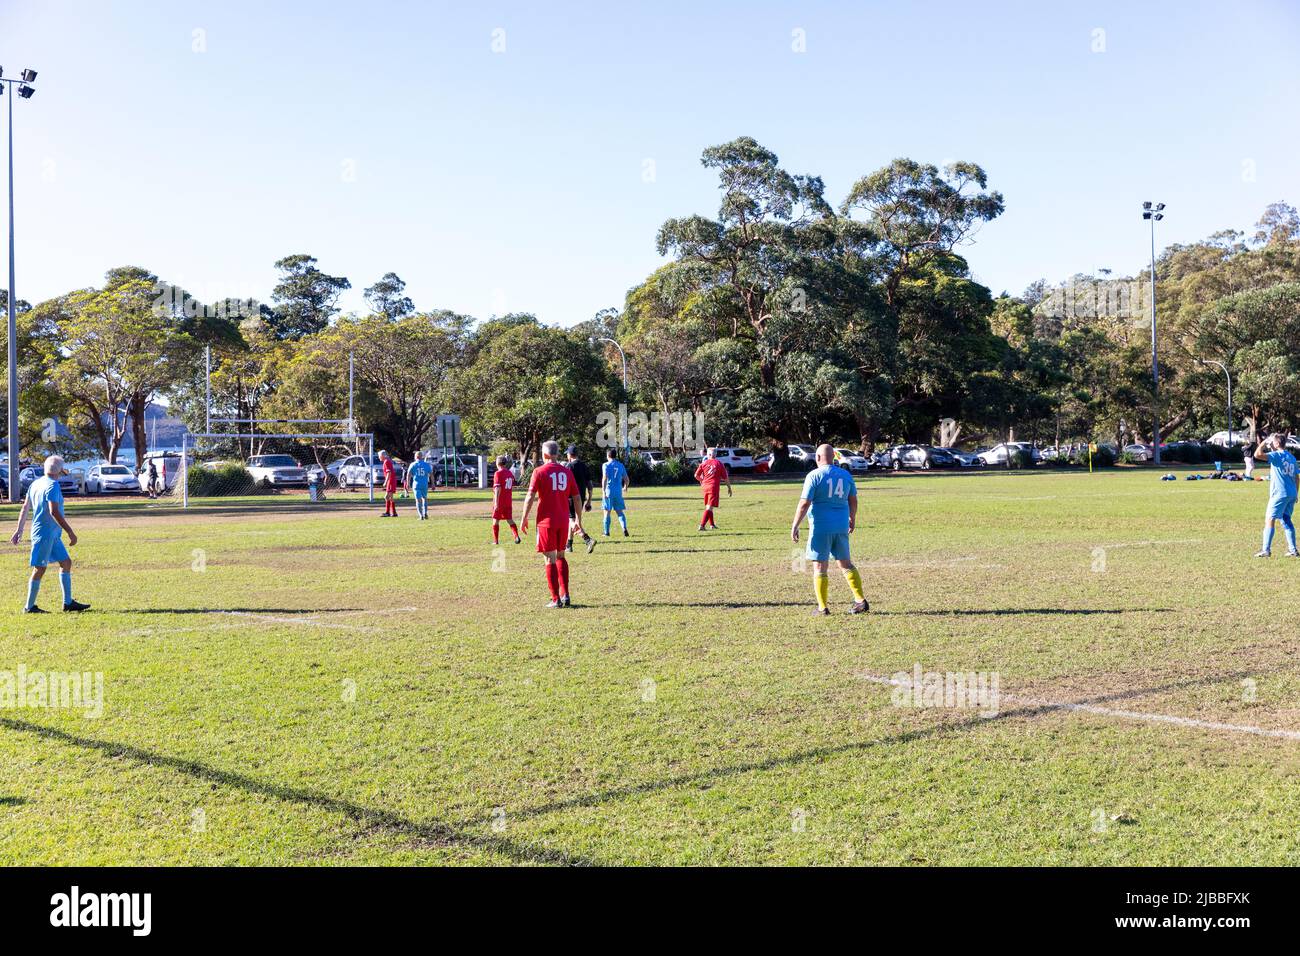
point(514, 181)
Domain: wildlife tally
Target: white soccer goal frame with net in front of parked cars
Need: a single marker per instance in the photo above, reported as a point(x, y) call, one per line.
point(232, 465)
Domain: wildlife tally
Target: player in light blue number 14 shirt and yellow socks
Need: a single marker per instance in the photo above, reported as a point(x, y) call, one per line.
point(833, 499)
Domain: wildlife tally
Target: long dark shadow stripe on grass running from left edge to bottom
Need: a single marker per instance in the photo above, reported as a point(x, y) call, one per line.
point(437, 833)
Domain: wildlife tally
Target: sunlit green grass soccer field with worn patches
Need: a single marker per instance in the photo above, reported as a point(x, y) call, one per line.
point(287, 685)
